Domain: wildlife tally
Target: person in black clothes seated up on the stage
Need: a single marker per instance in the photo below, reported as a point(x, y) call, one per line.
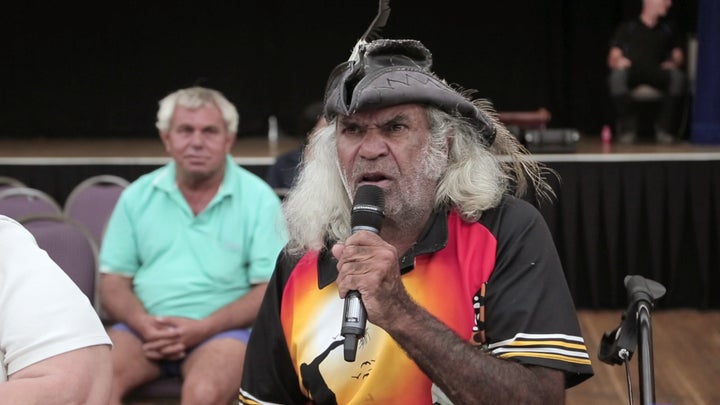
point(647, 50)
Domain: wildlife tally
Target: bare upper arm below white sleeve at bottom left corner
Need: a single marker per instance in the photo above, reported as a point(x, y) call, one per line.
point(81, 376)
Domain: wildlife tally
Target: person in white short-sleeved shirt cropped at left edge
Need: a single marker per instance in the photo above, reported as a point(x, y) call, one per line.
point(53, 347)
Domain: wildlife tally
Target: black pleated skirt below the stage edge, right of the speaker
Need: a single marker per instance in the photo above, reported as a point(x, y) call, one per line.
point(658, 219)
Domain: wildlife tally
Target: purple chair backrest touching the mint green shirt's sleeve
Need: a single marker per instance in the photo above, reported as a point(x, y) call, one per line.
point(92, 201)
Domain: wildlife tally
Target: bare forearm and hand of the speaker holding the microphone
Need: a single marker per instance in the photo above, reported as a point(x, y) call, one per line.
point(368, 264)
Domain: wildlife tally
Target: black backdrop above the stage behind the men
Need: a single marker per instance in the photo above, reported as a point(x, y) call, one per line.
point(73, 71)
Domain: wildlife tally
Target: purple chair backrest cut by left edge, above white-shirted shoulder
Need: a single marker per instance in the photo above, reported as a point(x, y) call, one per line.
point(19, 202)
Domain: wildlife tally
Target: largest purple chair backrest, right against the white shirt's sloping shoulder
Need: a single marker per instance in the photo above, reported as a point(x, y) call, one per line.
point(71, 246)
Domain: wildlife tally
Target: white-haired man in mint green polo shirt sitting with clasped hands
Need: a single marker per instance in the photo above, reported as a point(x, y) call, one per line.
point(187, 255)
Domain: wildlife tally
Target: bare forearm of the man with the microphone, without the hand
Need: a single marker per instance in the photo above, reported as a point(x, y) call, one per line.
point(482, 378)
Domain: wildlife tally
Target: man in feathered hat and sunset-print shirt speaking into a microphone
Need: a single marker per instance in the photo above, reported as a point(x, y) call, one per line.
point(465, 296)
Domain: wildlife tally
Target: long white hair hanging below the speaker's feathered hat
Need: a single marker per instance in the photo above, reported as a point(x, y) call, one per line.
point(474, 178)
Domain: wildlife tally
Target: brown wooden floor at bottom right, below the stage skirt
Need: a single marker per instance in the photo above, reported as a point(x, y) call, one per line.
point(686, 346)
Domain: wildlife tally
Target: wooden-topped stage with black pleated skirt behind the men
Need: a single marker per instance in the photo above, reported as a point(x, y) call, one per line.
point(642, 209)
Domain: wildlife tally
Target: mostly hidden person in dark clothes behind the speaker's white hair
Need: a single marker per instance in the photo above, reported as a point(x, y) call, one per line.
point(281, 175)
